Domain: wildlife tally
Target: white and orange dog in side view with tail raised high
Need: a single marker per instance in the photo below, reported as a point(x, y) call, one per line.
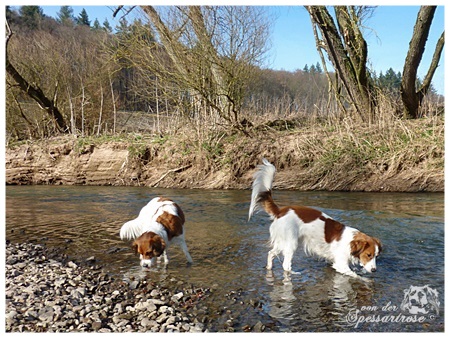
point(320, 234)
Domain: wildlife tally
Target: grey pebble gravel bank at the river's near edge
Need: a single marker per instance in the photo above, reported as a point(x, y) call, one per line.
point(47, 292)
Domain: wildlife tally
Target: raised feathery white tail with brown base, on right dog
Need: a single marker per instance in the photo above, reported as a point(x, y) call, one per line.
point(262, 190)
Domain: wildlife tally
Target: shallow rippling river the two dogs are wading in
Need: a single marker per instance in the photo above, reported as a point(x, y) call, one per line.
point(230, 253)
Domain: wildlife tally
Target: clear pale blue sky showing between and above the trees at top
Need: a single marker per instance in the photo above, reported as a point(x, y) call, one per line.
point(388, 33)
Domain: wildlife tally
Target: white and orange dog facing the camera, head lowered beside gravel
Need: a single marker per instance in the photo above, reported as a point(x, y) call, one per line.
point(159, 224)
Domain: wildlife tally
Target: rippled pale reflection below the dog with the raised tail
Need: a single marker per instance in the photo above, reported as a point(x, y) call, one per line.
point(319, 303)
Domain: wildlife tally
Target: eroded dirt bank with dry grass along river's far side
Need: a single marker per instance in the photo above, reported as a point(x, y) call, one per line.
point(408, 158)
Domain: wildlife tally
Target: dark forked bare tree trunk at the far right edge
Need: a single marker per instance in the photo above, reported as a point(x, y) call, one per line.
point(411, 95)
